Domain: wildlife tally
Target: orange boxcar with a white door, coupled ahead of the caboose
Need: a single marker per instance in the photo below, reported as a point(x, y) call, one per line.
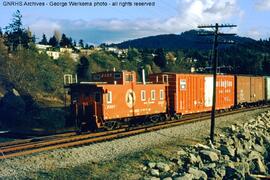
point(192, 93)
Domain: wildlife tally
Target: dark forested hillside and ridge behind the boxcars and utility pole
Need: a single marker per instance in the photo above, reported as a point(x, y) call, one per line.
point(245, 56)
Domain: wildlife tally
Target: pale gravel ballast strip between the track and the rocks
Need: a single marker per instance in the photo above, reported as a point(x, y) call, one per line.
point(20, 167)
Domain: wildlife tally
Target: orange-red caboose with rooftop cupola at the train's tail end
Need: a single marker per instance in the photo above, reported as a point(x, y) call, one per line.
point(115, 97)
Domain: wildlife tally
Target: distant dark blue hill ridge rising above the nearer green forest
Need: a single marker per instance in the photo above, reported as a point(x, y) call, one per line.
point(186, 40)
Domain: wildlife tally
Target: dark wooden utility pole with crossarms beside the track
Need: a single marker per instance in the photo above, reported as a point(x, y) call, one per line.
point(215, 49)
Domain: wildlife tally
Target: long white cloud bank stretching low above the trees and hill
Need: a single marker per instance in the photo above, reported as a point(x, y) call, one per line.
point(190, 14)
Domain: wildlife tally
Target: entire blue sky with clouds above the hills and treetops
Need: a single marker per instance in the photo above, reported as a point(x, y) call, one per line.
point(115, 24)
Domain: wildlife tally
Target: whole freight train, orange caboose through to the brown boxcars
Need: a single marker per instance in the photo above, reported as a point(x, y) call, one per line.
point(115, 98)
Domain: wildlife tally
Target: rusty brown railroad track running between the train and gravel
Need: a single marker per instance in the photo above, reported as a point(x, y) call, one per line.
point(30, 146)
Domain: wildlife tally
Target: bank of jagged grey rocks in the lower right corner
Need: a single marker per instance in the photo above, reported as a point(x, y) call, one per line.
point(241, 151)
